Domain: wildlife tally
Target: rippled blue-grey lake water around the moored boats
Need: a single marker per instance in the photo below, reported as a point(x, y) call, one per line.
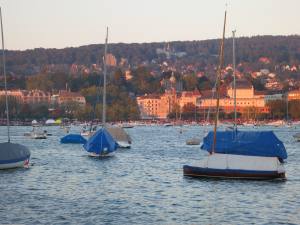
point(141, 185)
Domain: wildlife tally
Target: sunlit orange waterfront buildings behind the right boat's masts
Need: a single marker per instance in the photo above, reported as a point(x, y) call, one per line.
point(160, 106)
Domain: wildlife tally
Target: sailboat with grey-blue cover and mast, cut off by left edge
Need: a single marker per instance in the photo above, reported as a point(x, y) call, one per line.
point(11, 155)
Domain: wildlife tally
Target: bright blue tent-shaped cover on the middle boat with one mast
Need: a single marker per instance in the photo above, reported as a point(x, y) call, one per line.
point(101, 142)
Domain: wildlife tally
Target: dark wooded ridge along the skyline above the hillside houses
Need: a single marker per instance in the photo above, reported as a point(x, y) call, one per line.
point(280, 49)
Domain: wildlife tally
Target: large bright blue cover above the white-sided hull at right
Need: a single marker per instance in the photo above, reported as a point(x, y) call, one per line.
point(253, 143)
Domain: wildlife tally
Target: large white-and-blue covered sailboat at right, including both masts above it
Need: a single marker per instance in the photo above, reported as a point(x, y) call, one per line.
point(237, 154)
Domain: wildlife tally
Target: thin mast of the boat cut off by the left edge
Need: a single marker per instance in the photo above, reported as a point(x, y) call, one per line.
point(5, 80)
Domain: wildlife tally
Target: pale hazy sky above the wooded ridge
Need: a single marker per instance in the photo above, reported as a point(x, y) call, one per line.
point(64, 23)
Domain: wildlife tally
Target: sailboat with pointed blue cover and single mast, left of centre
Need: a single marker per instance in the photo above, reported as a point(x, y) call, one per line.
point(101, 143)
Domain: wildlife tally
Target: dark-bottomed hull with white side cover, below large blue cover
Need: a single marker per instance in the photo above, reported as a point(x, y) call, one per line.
point(237, 167)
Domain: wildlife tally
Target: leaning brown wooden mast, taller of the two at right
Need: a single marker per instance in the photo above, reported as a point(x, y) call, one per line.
point(221, 62)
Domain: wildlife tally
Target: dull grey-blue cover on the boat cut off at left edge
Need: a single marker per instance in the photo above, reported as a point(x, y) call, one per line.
point(11, 153)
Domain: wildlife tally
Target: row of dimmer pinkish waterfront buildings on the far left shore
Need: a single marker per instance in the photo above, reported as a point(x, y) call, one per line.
point(41, 97)
